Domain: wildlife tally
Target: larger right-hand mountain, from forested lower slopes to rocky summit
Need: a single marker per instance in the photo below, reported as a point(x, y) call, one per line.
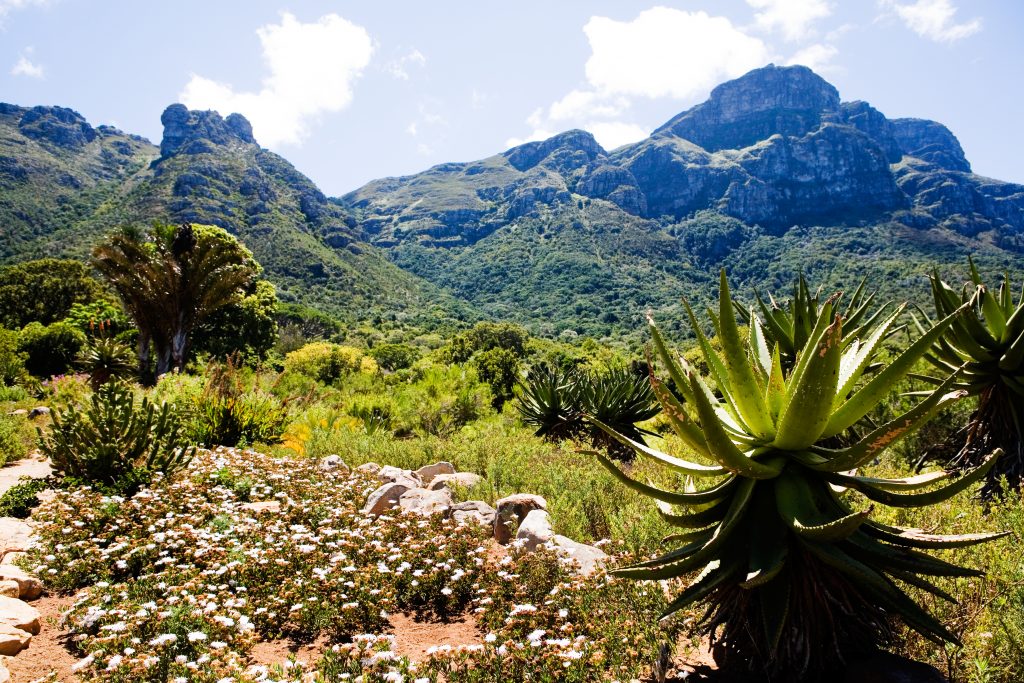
point(774, 174)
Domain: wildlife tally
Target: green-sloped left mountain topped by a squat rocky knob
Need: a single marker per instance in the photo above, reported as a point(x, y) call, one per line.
point(65, 184)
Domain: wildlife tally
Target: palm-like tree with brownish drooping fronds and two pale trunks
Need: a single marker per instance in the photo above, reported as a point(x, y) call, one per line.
point(170, 279)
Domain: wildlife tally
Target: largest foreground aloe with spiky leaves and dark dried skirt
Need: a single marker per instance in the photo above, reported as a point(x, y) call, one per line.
point(796, 577)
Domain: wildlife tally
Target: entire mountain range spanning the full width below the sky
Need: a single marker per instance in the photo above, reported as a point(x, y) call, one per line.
point(775, 174)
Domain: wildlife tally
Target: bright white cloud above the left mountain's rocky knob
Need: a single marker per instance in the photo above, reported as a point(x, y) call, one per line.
point(313, 68)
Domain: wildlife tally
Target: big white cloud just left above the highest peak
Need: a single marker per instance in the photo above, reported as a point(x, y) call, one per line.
point(669, 53)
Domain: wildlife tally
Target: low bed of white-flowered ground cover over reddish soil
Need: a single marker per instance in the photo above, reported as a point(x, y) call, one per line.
point(184, 578)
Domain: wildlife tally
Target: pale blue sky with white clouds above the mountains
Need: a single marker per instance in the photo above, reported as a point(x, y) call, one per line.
point(354, 91)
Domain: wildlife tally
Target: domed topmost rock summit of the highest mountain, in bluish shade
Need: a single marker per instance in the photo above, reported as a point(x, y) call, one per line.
point(787, 101)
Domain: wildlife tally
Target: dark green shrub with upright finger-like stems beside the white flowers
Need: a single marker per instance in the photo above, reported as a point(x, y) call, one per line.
point(114, 444)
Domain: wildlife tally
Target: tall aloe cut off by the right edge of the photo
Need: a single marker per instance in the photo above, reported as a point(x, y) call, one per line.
point(989, 343)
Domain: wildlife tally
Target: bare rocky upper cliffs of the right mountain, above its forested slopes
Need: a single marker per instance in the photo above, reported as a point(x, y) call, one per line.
point(776, 148)
